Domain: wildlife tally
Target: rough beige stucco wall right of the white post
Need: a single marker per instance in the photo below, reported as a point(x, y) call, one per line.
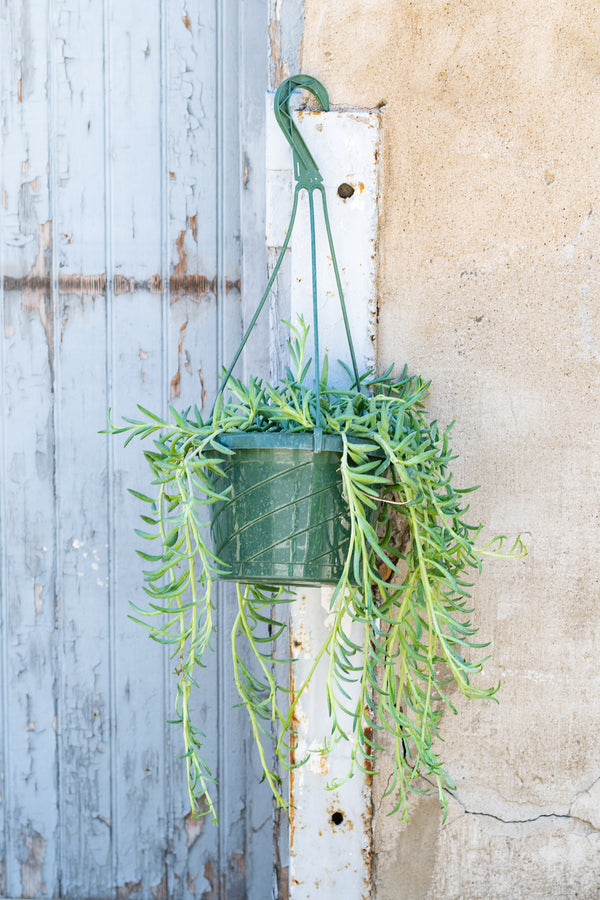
point(489, 283)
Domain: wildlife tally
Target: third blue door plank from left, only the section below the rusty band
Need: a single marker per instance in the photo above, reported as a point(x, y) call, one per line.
point(141, 793)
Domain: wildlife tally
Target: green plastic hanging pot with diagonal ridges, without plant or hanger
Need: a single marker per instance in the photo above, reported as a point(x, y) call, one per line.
point(285, 520)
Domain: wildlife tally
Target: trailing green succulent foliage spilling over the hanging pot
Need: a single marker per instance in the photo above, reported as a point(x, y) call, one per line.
point(408, 589)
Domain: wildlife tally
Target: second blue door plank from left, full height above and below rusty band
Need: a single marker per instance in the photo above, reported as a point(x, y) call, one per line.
point(84, 672)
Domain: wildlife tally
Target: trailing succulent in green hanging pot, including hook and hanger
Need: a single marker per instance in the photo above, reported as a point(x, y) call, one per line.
point(306, 484)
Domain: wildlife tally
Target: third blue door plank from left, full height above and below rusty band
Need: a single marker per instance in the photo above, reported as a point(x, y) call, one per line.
point(137, 373)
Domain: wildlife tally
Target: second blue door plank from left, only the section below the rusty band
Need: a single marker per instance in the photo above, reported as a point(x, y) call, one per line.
point(85, 730)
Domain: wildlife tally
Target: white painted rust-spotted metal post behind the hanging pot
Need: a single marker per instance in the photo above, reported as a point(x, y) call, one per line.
point(330, 830)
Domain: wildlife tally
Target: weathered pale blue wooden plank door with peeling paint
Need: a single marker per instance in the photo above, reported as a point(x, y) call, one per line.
point(120, 237)
